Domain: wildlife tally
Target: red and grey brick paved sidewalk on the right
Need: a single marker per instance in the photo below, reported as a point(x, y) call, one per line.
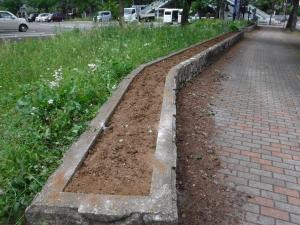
point(258, 124)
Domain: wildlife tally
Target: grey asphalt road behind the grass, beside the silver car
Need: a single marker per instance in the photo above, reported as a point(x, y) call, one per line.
point(42, 30)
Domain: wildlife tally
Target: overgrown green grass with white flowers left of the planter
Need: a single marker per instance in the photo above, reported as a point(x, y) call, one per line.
point(50, 89)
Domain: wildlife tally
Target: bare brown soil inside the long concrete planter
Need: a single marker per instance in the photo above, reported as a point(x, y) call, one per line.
point(120, 162)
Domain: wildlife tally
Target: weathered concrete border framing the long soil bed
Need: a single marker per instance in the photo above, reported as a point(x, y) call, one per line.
point(54, 206)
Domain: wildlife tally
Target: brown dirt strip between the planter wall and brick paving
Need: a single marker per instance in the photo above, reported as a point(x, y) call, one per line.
point(202, 198)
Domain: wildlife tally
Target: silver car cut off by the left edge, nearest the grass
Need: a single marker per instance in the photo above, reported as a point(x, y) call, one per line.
point(9, 21)
